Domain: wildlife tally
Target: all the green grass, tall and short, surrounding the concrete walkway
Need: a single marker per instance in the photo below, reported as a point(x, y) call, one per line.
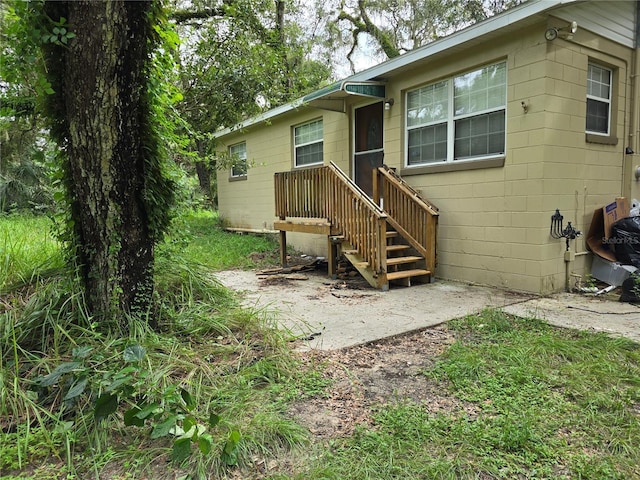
point(210, 395)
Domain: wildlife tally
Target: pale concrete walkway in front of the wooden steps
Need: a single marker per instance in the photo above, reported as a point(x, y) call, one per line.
point(332, 314)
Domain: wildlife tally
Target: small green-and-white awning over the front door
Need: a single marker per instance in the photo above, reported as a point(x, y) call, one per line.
point(332, 97)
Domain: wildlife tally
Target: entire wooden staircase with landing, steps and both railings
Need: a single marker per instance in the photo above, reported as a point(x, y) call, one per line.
point(395, 245)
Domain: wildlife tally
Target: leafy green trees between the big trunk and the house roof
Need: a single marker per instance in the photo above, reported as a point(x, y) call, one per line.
point(238, 59)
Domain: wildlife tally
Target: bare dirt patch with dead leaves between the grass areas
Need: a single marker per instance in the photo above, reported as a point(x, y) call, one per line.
point(377, 373)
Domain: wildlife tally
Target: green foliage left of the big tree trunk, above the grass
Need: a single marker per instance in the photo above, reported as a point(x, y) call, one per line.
point(27, 156)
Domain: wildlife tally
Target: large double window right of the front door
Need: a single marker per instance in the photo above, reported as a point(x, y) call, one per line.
point(462, 118)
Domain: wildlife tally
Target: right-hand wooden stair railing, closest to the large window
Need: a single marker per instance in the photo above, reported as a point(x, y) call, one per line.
point(414, 217)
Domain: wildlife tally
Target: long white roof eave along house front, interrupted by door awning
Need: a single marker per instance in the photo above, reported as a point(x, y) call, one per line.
point(526, 10)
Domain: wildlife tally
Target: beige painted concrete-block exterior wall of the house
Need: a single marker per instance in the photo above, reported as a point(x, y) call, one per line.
point(494, 222)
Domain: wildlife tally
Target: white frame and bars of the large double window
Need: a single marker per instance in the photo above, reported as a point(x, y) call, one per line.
point(452, 118)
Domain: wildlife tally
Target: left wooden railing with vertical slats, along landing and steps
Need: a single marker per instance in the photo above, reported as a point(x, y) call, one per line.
point(326, 192)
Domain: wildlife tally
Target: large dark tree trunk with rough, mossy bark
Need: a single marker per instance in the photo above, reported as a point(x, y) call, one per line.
point(105, 111)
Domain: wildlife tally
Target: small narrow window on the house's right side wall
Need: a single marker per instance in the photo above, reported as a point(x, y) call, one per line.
point(598, 100)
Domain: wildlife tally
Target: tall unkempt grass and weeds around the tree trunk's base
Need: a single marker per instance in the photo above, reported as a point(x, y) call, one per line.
point(56, 363)
